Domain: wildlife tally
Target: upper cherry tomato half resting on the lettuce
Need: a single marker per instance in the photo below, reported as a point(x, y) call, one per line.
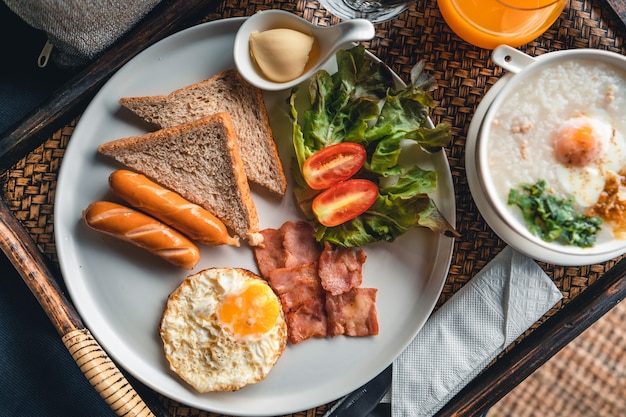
point(333, 164)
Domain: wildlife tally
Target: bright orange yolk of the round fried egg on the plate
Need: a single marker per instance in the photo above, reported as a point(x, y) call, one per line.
point(251, 312)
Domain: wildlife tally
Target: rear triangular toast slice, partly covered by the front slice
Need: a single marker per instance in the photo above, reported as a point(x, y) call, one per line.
point(224, 92)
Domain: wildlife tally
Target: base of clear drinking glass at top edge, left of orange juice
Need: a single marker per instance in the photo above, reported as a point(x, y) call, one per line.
point(374, 11)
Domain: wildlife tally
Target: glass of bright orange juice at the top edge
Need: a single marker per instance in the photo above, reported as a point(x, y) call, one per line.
point(489, 23)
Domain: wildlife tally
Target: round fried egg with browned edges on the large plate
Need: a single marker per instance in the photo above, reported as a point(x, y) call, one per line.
point(222, 329)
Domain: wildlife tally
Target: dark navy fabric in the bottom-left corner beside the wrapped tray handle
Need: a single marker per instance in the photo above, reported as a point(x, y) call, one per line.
point(38, 377)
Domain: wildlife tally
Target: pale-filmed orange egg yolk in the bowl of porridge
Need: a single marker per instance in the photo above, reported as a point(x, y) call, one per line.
point(577, 143)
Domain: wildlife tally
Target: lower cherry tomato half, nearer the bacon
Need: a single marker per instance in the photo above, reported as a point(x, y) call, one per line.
point(344, 201)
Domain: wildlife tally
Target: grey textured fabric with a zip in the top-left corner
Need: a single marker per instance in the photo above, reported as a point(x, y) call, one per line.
point(81, 29)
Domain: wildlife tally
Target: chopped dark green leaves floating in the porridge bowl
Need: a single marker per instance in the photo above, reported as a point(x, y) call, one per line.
point(552, 218)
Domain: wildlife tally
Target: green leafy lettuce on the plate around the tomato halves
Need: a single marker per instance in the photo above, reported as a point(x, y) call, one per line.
point(359, 103)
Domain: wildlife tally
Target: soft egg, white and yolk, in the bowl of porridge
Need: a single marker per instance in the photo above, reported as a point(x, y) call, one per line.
point(586, 149)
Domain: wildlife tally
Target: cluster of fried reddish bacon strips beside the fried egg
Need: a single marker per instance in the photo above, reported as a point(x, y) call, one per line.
point(319, 288)
